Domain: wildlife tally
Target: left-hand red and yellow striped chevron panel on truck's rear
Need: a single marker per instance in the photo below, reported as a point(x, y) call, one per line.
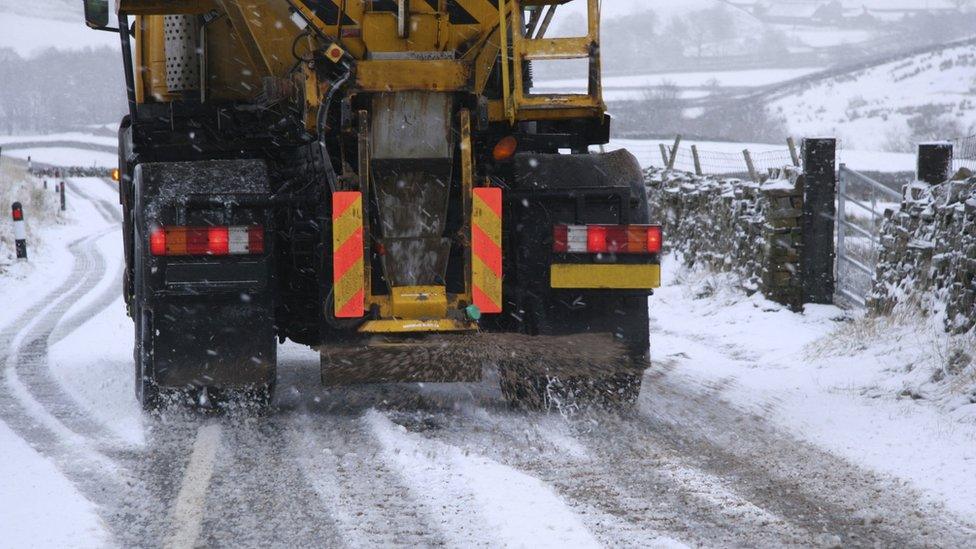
point(348, 263)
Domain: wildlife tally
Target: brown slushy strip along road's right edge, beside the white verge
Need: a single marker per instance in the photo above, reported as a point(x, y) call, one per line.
point(812, 489)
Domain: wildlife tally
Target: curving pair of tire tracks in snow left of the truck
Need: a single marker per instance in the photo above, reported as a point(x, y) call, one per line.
point(34, 406)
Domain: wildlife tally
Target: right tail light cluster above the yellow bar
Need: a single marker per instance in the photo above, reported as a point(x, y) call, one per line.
point(612, 239)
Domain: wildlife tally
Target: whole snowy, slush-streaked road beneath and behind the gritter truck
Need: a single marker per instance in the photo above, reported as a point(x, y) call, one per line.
point(391, 464)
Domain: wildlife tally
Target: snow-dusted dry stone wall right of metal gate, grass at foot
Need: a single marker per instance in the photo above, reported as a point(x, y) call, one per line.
point(926, 284)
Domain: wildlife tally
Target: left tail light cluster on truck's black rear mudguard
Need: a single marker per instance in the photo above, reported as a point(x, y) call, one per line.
point(219, 240)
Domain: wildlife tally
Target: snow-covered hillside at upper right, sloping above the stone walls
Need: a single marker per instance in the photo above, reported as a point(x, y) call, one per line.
point(887, 107)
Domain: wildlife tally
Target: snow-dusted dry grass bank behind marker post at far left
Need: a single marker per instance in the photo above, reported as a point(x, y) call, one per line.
point(41, 209)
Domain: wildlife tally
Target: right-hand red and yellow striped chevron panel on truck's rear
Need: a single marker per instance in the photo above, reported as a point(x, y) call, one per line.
point(486, 249)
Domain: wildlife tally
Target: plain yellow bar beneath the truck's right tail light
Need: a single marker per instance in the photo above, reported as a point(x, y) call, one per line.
point(605, 277)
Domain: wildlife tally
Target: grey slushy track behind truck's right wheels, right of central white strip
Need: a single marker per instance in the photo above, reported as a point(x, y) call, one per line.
point(652, 504)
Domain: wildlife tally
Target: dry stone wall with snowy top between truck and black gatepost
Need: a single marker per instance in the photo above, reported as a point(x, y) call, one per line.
point(736, 226)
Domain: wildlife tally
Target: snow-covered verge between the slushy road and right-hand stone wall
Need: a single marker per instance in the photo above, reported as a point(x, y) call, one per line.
point(860, 387)
